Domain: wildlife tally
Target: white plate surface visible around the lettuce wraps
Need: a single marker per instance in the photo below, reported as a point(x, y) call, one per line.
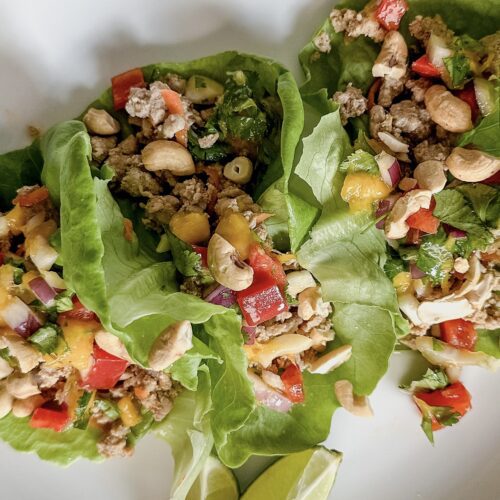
point(55, 57)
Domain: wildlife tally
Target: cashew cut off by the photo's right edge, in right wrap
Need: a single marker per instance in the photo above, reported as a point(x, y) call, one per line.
point(471, 165)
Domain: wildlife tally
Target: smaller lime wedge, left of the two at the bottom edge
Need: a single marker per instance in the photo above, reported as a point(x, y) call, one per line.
point(215, 482)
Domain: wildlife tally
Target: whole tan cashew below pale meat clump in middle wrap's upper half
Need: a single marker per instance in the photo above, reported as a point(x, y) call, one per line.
point(168, 155)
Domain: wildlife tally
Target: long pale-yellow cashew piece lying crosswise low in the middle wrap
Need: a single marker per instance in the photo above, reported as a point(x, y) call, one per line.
point(284, 345)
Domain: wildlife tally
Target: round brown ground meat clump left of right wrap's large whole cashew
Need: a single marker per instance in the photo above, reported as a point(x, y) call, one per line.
point(410, 119)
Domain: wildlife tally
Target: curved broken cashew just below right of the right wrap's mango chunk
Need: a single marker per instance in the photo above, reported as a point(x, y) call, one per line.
point(409, 204)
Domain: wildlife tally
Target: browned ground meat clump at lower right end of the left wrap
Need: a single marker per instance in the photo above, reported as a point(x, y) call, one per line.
point(159, 388)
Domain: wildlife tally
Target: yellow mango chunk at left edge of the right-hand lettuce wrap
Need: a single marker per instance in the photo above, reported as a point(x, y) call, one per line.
point(361, 190)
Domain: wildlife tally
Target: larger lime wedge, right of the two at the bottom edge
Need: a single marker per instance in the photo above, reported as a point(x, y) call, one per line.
point(308, 475)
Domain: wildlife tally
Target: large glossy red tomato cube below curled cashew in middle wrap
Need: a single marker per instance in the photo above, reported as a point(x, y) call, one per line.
point(262, 300)
